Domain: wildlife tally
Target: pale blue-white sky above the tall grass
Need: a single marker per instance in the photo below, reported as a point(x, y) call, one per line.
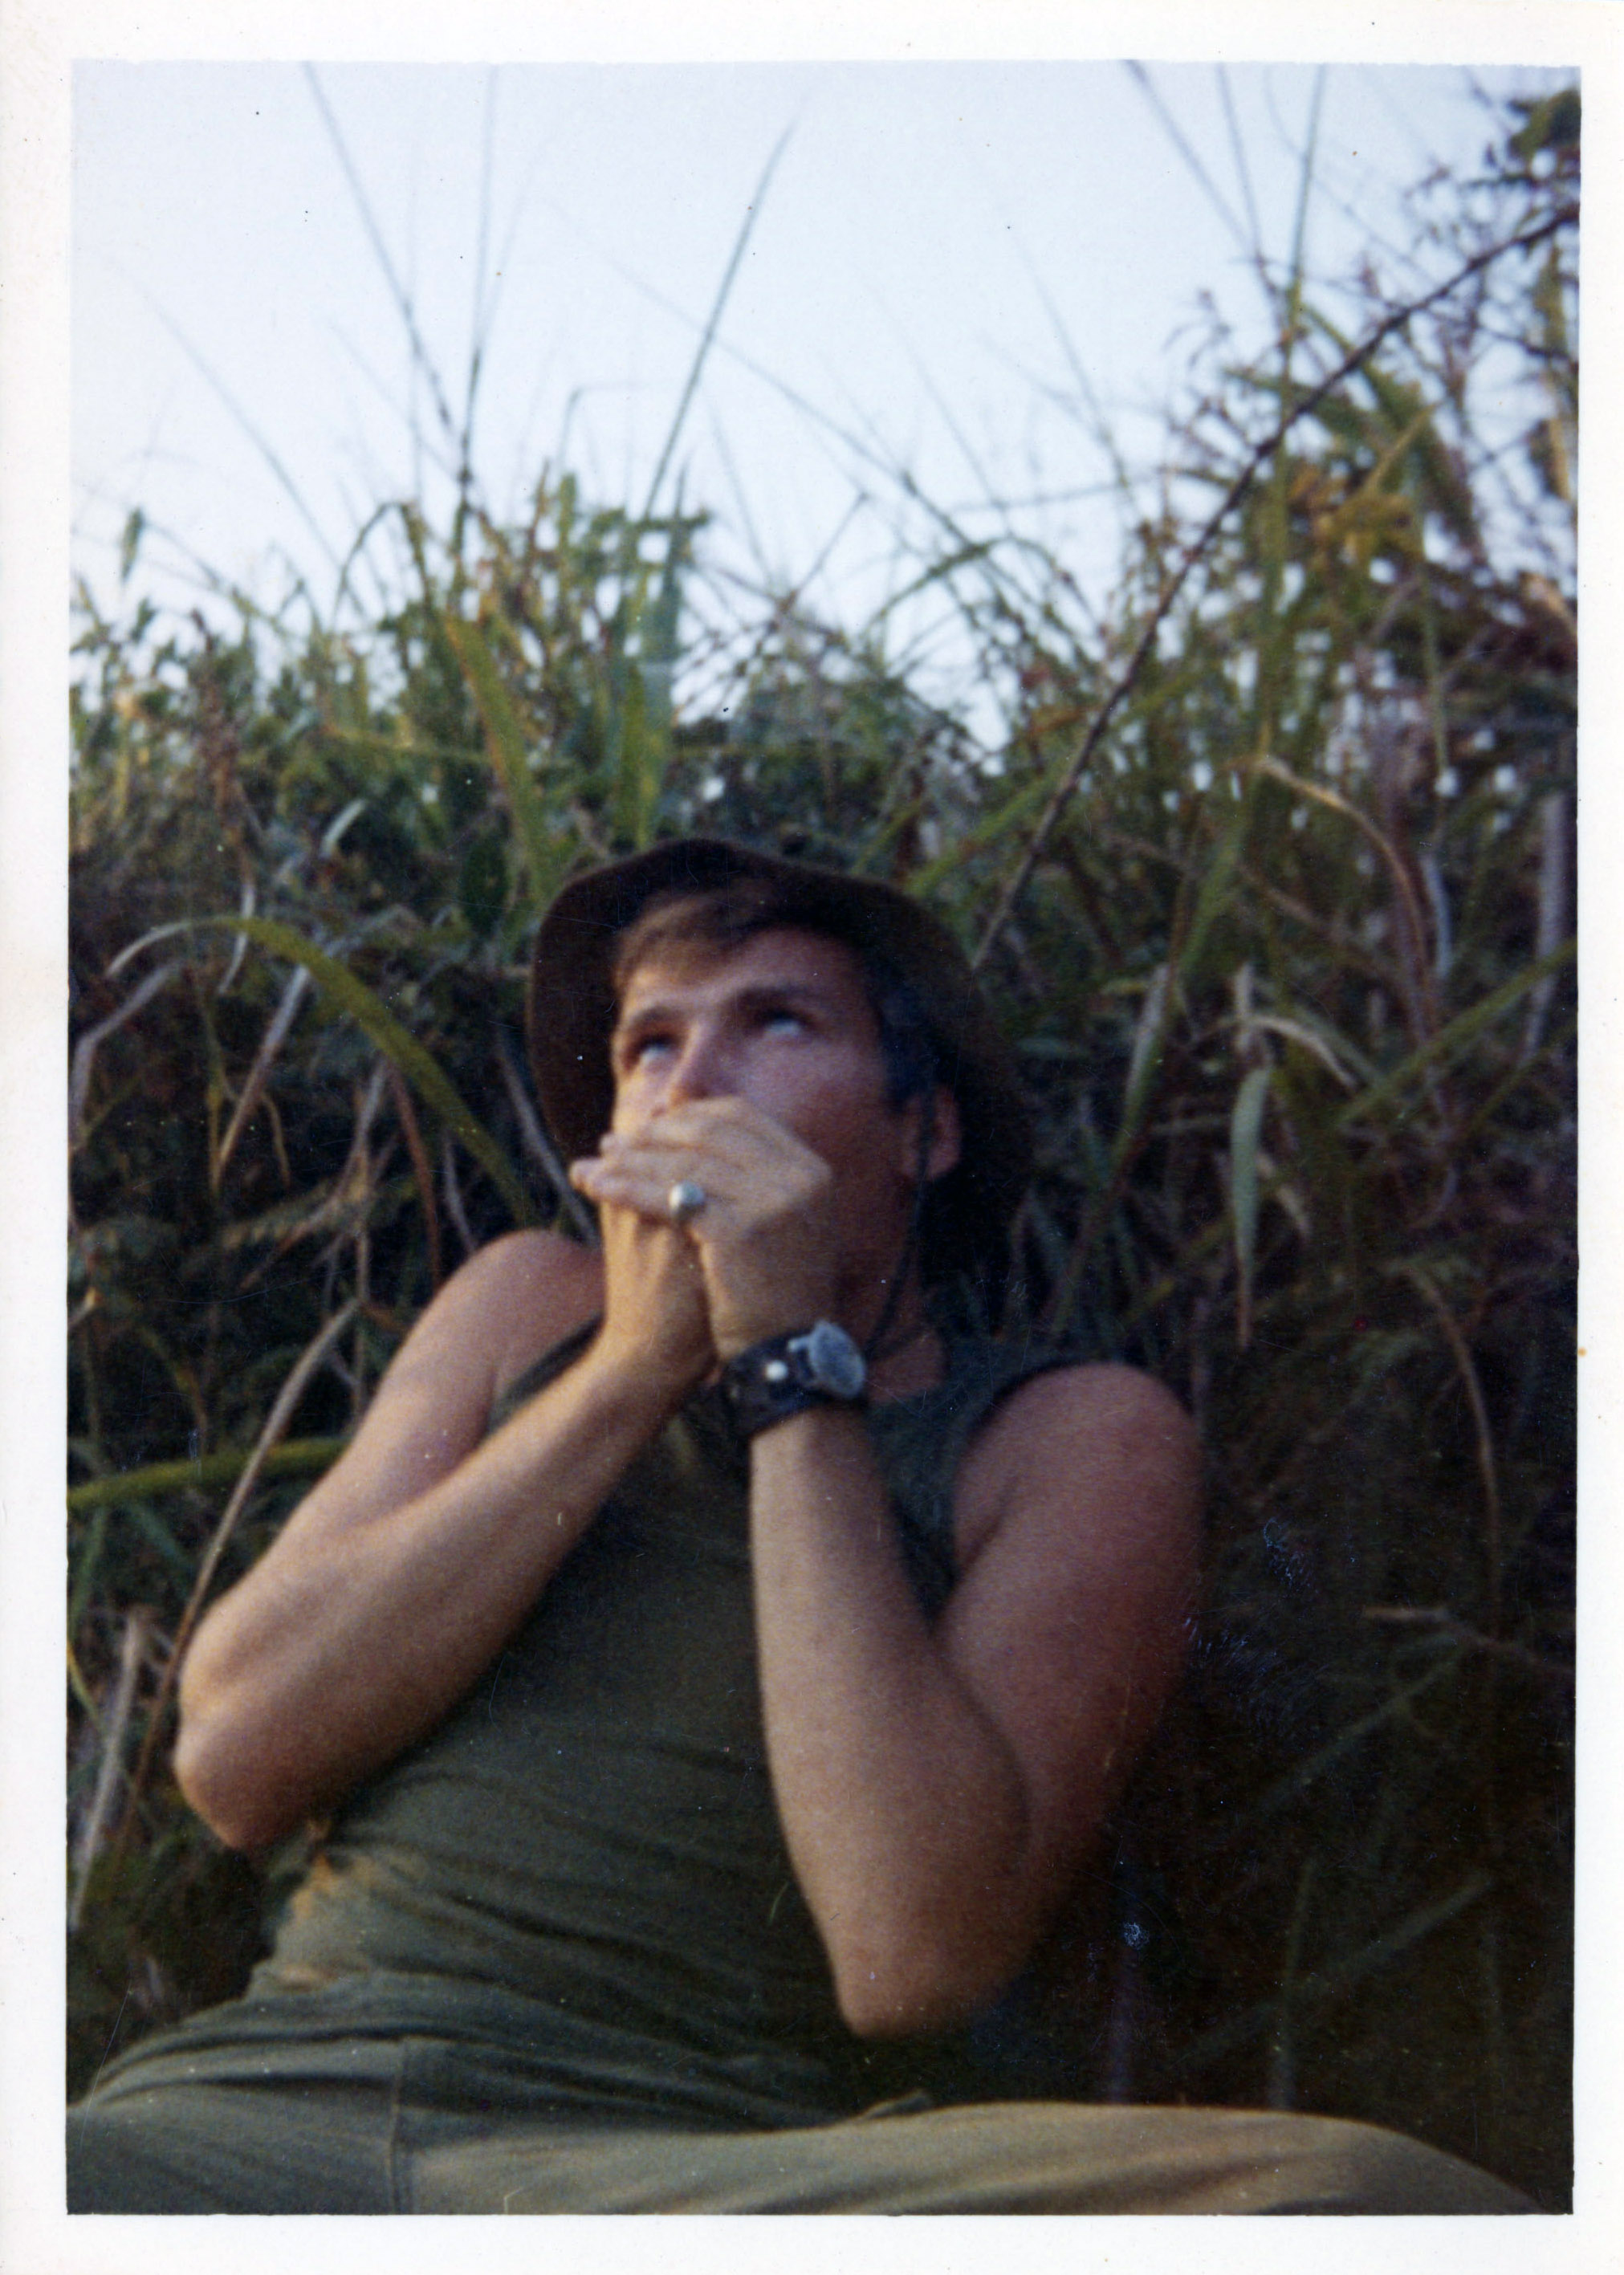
point(954, 272)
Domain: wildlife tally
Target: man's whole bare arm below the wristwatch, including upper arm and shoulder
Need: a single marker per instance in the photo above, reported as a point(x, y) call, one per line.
point(941, 1787)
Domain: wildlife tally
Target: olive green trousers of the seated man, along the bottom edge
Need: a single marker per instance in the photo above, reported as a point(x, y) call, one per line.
point(331, 2131)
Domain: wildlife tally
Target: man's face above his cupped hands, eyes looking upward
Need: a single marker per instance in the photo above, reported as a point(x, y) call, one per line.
point(786, 1023)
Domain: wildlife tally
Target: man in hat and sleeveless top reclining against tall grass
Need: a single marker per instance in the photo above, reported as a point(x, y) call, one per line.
point(713, 1673)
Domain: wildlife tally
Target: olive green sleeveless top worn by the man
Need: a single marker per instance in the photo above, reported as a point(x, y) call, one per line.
point(579, 1883)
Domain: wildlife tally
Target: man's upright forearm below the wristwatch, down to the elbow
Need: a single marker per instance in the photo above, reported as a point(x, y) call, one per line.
point(902, 1801)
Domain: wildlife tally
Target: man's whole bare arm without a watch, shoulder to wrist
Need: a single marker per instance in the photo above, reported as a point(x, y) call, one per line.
point(420, 1555)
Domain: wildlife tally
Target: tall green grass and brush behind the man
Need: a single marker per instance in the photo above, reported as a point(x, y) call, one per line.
point(1270, 879)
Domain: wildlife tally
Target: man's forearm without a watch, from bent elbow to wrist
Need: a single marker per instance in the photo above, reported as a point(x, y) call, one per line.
point(354, 1637)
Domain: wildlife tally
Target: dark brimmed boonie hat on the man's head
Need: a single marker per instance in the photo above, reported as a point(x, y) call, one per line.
point(570, 1016)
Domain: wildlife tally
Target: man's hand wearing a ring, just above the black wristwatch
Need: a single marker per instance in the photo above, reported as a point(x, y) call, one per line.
point(765, 1239)
